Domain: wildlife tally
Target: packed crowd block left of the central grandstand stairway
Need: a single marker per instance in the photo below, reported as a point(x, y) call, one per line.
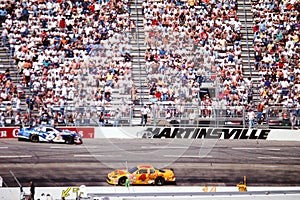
point(70, 55)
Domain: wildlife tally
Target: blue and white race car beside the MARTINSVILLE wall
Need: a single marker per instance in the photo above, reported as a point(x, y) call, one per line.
point(47, 133)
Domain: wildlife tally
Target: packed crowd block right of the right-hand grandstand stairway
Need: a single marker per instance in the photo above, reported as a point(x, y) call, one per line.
point(277, 49)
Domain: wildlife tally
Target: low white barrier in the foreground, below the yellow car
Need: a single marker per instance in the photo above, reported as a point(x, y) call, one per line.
point(137, 192)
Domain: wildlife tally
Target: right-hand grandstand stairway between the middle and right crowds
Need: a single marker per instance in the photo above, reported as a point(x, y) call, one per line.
point(244, 14)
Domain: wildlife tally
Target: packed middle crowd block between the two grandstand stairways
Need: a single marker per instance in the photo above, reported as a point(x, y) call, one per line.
point(190, 42)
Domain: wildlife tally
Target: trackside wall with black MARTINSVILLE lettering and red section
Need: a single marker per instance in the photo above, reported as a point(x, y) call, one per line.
point(174, 132)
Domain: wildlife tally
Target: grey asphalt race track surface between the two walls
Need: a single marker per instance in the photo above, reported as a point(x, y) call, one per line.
point(195, 162)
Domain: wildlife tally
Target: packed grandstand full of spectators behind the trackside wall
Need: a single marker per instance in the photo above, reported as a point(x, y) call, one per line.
point(192, 62)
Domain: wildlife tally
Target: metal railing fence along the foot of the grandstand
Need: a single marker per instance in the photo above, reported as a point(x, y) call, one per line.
point(161, 114)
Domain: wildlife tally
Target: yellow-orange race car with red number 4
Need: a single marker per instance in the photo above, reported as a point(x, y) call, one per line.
point(141, 175)
